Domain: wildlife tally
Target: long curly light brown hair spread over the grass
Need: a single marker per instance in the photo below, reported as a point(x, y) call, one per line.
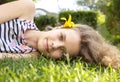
point(95, 49)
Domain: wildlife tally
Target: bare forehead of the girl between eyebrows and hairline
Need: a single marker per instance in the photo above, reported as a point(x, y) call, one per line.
point(72, 42)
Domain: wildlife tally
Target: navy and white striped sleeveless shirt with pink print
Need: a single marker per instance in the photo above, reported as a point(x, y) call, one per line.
point(12, 36)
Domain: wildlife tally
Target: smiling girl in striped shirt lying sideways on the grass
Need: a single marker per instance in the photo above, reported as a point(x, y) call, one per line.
point(19, 35)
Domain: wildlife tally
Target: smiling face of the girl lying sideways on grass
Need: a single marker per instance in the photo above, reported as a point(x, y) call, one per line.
point(56, 43)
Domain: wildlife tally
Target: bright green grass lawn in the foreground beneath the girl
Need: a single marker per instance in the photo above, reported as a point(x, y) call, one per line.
point(50, 70)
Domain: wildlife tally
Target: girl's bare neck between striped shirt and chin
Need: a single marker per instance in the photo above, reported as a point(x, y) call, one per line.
point(32, 37)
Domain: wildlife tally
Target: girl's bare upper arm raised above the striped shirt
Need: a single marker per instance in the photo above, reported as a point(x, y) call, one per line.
point(23, 9)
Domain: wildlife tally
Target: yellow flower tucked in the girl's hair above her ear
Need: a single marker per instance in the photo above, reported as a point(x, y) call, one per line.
point(68, 23)
